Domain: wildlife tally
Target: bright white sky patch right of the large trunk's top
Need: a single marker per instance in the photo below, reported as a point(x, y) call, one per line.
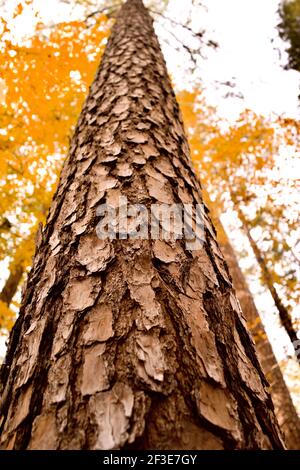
point(250, 55)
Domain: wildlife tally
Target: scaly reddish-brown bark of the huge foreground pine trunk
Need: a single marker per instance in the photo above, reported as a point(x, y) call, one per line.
point(131, 343)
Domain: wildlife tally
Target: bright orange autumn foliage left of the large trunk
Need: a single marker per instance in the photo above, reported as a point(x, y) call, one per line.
point(43, 83)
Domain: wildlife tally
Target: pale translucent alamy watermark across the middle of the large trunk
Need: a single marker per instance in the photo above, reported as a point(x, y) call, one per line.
point(156, 222)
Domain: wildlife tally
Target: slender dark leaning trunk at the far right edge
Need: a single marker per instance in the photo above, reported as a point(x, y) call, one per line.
point(284, 315)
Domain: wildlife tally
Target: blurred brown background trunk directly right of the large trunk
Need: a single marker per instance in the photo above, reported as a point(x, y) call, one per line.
point(284, 408)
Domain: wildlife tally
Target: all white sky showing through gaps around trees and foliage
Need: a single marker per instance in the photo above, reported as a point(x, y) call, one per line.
point(250, 55)
